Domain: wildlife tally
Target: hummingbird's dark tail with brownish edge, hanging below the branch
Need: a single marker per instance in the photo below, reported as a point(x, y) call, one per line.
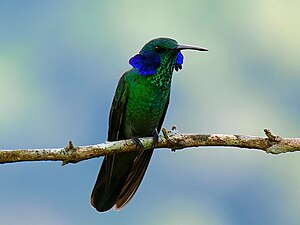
point(119, 177)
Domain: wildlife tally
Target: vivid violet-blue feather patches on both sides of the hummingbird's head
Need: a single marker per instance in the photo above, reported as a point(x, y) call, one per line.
point(146, 63)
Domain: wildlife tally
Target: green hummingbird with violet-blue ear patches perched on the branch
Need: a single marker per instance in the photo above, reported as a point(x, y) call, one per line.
point(138, 110)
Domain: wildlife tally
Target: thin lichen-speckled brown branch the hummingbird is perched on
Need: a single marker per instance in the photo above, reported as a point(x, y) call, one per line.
point(170, 139)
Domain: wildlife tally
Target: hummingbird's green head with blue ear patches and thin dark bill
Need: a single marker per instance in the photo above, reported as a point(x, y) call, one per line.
point(160, 52)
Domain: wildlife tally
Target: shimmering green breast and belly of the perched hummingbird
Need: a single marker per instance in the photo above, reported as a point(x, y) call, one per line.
point(145, 105)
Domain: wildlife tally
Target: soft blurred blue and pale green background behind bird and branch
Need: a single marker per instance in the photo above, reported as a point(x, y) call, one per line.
point(59, 65)
